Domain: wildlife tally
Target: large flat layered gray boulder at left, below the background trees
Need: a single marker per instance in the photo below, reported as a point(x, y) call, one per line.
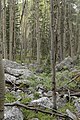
point(16, 69)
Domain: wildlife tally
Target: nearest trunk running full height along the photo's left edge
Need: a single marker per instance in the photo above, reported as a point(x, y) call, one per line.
point(1, 77)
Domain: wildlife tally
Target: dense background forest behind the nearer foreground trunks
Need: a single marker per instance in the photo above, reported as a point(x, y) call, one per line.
point(29, 24)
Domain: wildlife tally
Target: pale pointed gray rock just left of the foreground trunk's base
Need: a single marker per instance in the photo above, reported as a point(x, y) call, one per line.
point(44, 102)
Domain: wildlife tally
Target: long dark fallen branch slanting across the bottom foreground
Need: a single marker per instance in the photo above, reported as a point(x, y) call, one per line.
point(55, 112)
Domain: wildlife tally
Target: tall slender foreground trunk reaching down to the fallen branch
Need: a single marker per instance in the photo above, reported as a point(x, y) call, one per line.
point(53, 49)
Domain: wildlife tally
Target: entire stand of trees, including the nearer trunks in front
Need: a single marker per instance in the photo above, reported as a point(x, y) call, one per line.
point(44, 32)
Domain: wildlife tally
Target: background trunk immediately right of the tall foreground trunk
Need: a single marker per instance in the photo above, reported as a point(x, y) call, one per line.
point(60, 30)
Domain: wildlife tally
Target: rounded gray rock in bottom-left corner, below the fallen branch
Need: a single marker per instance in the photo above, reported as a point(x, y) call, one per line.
point(13, 113)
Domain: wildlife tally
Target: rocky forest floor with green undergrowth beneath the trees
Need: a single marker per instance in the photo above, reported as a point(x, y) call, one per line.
point(37, 89)
